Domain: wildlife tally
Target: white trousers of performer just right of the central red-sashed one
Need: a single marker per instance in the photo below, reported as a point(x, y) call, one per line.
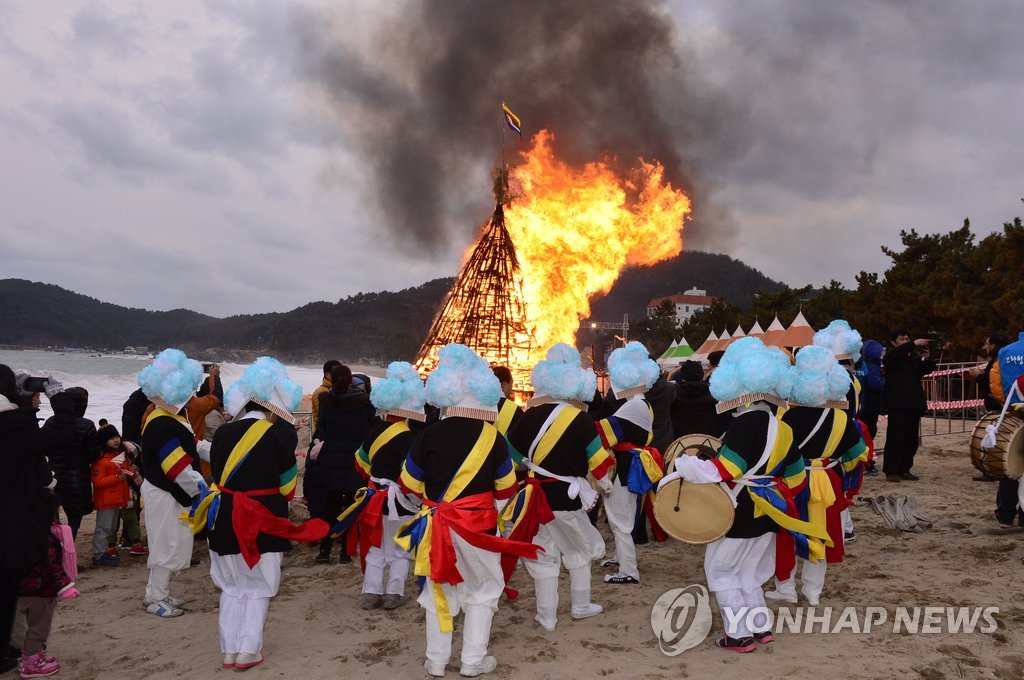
point(571, 540)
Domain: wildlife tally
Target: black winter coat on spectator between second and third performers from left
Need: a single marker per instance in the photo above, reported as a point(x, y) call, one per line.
point(345, 423)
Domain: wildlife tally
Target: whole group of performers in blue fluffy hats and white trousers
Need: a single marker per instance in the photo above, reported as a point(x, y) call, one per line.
point(465, 500)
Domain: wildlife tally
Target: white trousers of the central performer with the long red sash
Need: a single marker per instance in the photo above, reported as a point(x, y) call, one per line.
point(478, 596)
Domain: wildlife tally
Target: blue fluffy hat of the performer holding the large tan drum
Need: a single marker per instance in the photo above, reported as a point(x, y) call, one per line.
point(750, 372)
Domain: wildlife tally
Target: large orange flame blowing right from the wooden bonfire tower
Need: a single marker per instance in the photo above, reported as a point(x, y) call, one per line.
point(576, 229)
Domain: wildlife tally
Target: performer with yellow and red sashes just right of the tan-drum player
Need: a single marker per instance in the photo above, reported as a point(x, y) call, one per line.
point(831, 447)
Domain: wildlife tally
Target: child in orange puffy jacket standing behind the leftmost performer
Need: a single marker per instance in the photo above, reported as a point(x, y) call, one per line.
point(111, 495)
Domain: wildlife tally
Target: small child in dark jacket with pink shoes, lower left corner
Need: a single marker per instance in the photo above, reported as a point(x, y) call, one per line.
point(42, 586)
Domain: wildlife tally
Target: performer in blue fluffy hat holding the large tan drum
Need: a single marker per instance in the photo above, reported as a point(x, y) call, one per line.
point(761, 473)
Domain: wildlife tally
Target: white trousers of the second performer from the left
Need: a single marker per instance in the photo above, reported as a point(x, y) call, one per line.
point(245, 600)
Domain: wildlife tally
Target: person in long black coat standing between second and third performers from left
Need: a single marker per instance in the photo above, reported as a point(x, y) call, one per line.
point(346, 418)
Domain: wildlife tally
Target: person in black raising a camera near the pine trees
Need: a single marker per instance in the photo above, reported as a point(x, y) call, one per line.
point(905, 364)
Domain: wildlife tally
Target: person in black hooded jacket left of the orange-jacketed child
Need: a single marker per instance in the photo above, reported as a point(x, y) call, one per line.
point(72, 463)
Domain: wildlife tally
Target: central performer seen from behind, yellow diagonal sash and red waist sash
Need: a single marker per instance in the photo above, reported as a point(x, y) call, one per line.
point(461, 467)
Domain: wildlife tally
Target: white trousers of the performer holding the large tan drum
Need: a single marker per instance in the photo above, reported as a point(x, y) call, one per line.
point(737, 571)
